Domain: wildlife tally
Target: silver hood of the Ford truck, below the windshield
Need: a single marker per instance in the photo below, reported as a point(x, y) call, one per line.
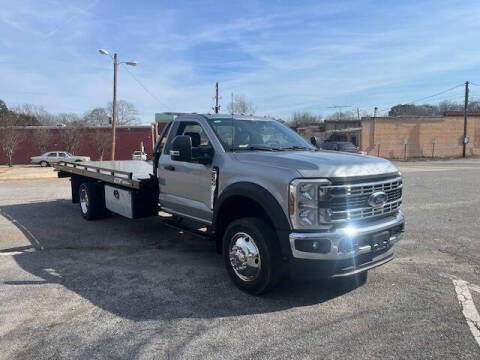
point(328, 164)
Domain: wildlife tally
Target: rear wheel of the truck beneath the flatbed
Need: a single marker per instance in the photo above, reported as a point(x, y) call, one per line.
point(91, 200)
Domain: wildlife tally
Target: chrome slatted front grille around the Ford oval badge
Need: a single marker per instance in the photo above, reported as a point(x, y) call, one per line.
point(350, 202)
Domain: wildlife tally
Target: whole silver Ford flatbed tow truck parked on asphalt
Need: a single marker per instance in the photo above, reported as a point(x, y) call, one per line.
point(273, 203)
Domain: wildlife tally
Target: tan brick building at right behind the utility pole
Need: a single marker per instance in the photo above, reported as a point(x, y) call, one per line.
point(420, 137)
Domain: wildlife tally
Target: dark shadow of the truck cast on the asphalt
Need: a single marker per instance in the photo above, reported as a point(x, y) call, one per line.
point(139, 269)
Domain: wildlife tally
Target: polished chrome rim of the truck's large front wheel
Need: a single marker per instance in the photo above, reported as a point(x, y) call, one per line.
point(245, 257)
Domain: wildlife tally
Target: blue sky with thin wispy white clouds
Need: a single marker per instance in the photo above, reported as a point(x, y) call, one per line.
point(284, 56)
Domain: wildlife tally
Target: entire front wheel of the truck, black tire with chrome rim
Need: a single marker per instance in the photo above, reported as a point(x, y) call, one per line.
point(252, 255)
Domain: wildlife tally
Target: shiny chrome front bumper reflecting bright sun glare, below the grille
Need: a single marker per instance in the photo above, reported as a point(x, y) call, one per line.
point(348, 242)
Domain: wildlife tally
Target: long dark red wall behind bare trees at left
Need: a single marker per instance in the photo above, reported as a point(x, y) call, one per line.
point(128, 140)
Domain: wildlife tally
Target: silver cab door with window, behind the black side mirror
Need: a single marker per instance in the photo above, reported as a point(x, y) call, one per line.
point(185, 187)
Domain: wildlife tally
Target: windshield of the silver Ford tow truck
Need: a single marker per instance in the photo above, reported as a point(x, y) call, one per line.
point(270, 135)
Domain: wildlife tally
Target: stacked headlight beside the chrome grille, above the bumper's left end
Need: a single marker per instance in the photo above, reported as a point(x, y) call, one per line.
point(305, 195)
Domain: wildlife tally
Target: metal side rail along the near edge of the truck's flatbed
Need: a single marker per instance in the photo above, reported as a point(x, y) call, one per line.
point(123, 178)
